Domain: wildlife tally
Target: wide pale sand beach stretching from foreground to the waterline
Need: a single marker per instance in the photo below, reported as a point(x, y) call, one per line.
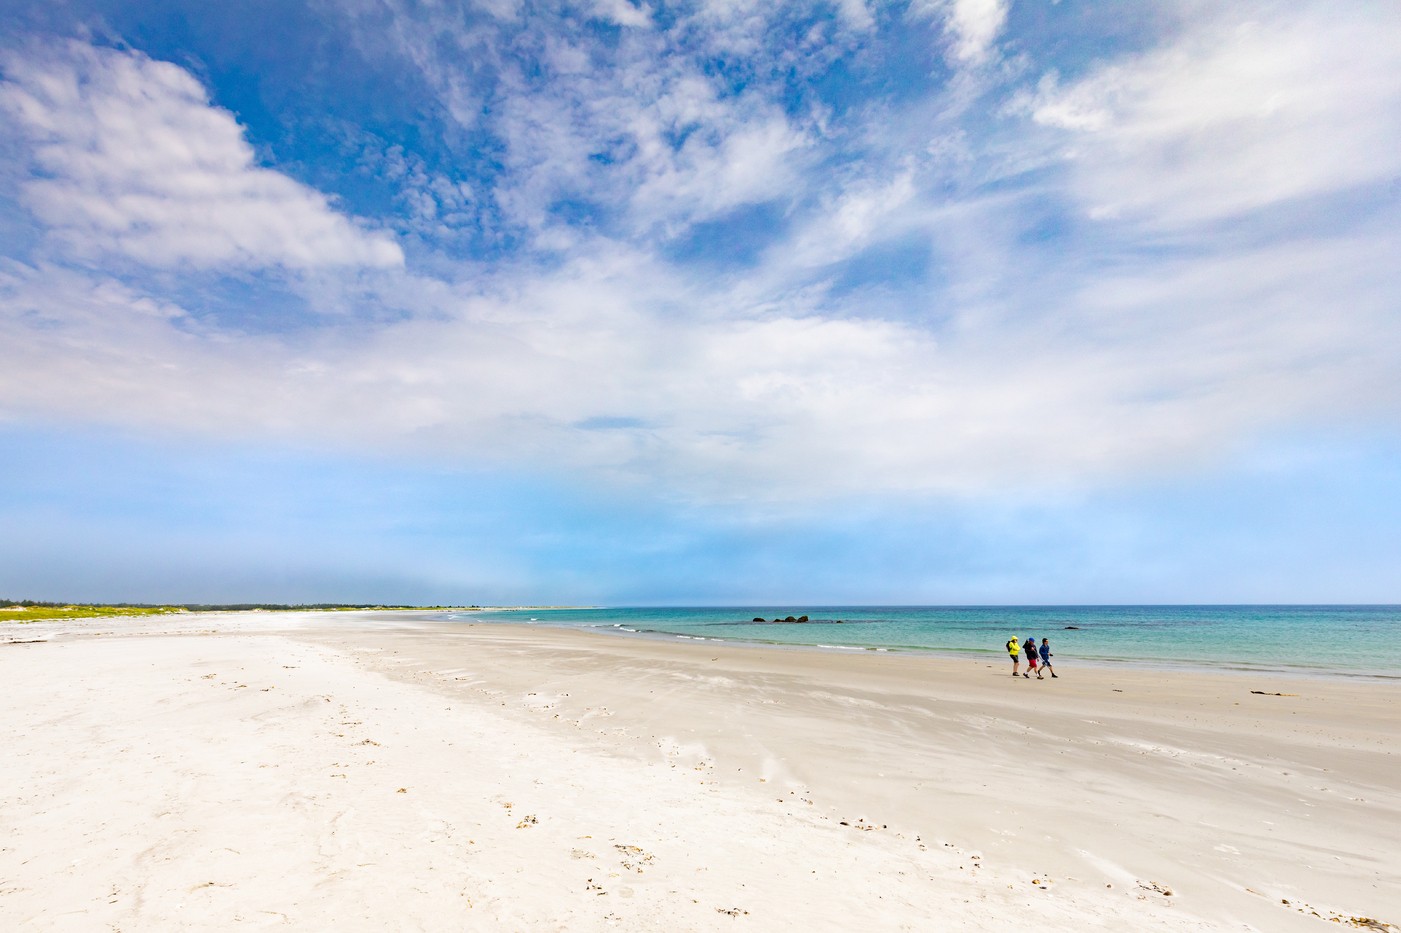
point(369, 773)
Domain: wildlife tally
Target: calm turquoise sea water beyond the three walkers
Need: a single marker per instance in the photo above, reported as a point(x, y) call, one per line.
point(1326, 640)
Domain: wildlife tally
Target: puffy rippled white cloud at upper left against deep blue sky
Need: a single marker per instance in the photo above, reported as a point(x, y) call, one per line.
point(134, 160)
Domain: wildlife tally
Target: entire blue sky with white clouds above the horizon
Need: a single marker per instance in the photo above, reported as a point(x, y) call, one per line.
point(704, 303)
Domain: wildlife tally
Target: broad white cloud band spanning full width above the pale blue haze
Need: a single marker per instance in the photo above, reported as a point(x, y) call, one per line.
point(588, 372)
